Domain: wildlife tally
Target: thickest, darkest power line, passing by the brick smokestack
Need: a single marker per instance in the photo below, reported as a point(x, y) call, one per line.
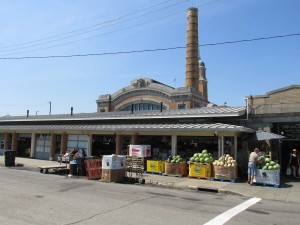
point(151, 50)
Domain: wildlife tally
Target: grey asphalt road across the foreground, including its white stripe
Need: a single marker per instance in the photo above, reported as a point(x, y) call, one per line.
point(28, 197)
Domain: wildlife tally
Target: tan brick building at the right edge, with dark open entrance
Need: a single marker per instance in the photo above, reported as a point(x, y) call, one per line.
point(277, 111)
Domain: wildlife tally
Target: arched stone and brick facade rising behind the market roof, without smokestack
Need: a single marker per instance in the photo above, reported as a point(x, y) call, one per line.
point(151, 92)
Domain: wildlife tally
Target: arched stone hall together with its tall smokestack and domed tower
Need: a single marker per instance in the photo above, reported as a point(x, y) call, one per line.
point(148, 94)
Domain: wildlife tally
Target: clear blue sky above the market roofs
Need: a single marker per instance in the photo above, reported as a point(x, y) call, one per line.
point(34, 28)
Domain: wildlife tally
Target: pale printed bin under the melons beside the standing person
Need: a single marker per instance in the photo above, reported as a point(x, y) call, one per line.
point(268, 177)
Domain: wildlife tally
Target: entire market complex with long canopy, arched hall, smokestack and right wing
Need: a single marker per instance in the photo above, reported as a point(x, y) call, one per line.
point(172, 120)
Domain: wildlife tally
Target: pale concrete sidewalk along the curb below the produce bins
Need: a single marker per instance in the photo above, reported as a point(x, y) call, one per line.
point(288, 192)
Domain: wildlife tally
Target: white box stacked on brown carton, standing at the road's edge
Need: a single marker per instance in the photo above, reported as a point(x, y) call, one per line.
point(113, 168)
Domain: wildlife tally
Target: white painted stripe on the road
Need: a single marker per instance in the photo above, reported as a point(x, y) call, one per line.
point(224, 217)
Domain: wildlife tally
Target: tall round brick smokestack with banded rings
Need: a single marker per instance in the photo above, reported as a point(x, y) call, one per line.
point(192, 51)
